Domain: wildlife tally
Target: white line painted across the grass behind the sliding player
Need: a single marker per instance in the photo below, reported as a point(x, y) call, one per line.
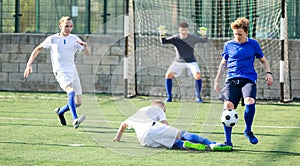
point(118, 122)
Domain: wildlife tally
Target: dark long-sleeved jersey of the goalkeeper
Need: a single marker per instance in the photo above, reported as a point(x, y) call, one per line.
point(184, 47)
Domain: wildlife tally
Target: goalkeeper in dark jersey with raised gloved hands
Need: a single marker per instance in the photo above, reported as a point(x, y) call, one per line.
point(184, 44)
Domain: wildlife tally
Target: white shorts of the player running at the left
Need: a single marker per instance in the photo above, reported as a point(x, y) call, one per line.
point(65, 79)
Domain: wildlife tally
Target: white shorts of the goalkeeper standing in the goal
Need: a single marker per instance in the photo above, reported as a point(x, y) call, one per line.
point(177, 67)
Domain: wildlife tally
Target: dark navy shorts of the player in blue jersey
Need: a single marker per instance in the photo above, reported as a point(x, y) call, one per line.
point(236, 89)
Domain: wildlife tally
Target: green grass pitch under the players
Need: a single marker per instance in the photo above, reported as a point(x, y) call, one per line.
point(32, 135)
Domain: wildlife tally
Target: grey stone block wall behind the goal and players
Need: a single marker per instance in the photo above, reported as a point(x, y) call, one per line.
point(102, 72)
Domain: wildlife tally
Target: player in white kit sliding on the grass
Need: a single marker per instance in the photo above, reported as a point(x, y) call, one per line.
point(152, 130)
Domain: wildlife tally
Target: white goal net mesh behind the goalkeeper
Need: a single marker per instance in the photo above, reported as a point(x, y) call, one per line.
point(153, 59)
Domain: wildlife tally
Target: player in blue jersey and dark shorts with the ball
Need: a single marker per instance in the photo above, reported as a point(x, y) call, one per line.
point(238, 58)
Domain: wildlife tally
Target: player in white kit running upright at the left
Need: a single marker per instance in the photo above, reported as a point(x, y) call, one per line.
point(63, 47)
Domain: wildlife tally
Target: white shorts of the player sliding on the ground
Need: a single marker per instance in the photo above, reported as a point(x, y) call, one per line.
point(160, 135)
